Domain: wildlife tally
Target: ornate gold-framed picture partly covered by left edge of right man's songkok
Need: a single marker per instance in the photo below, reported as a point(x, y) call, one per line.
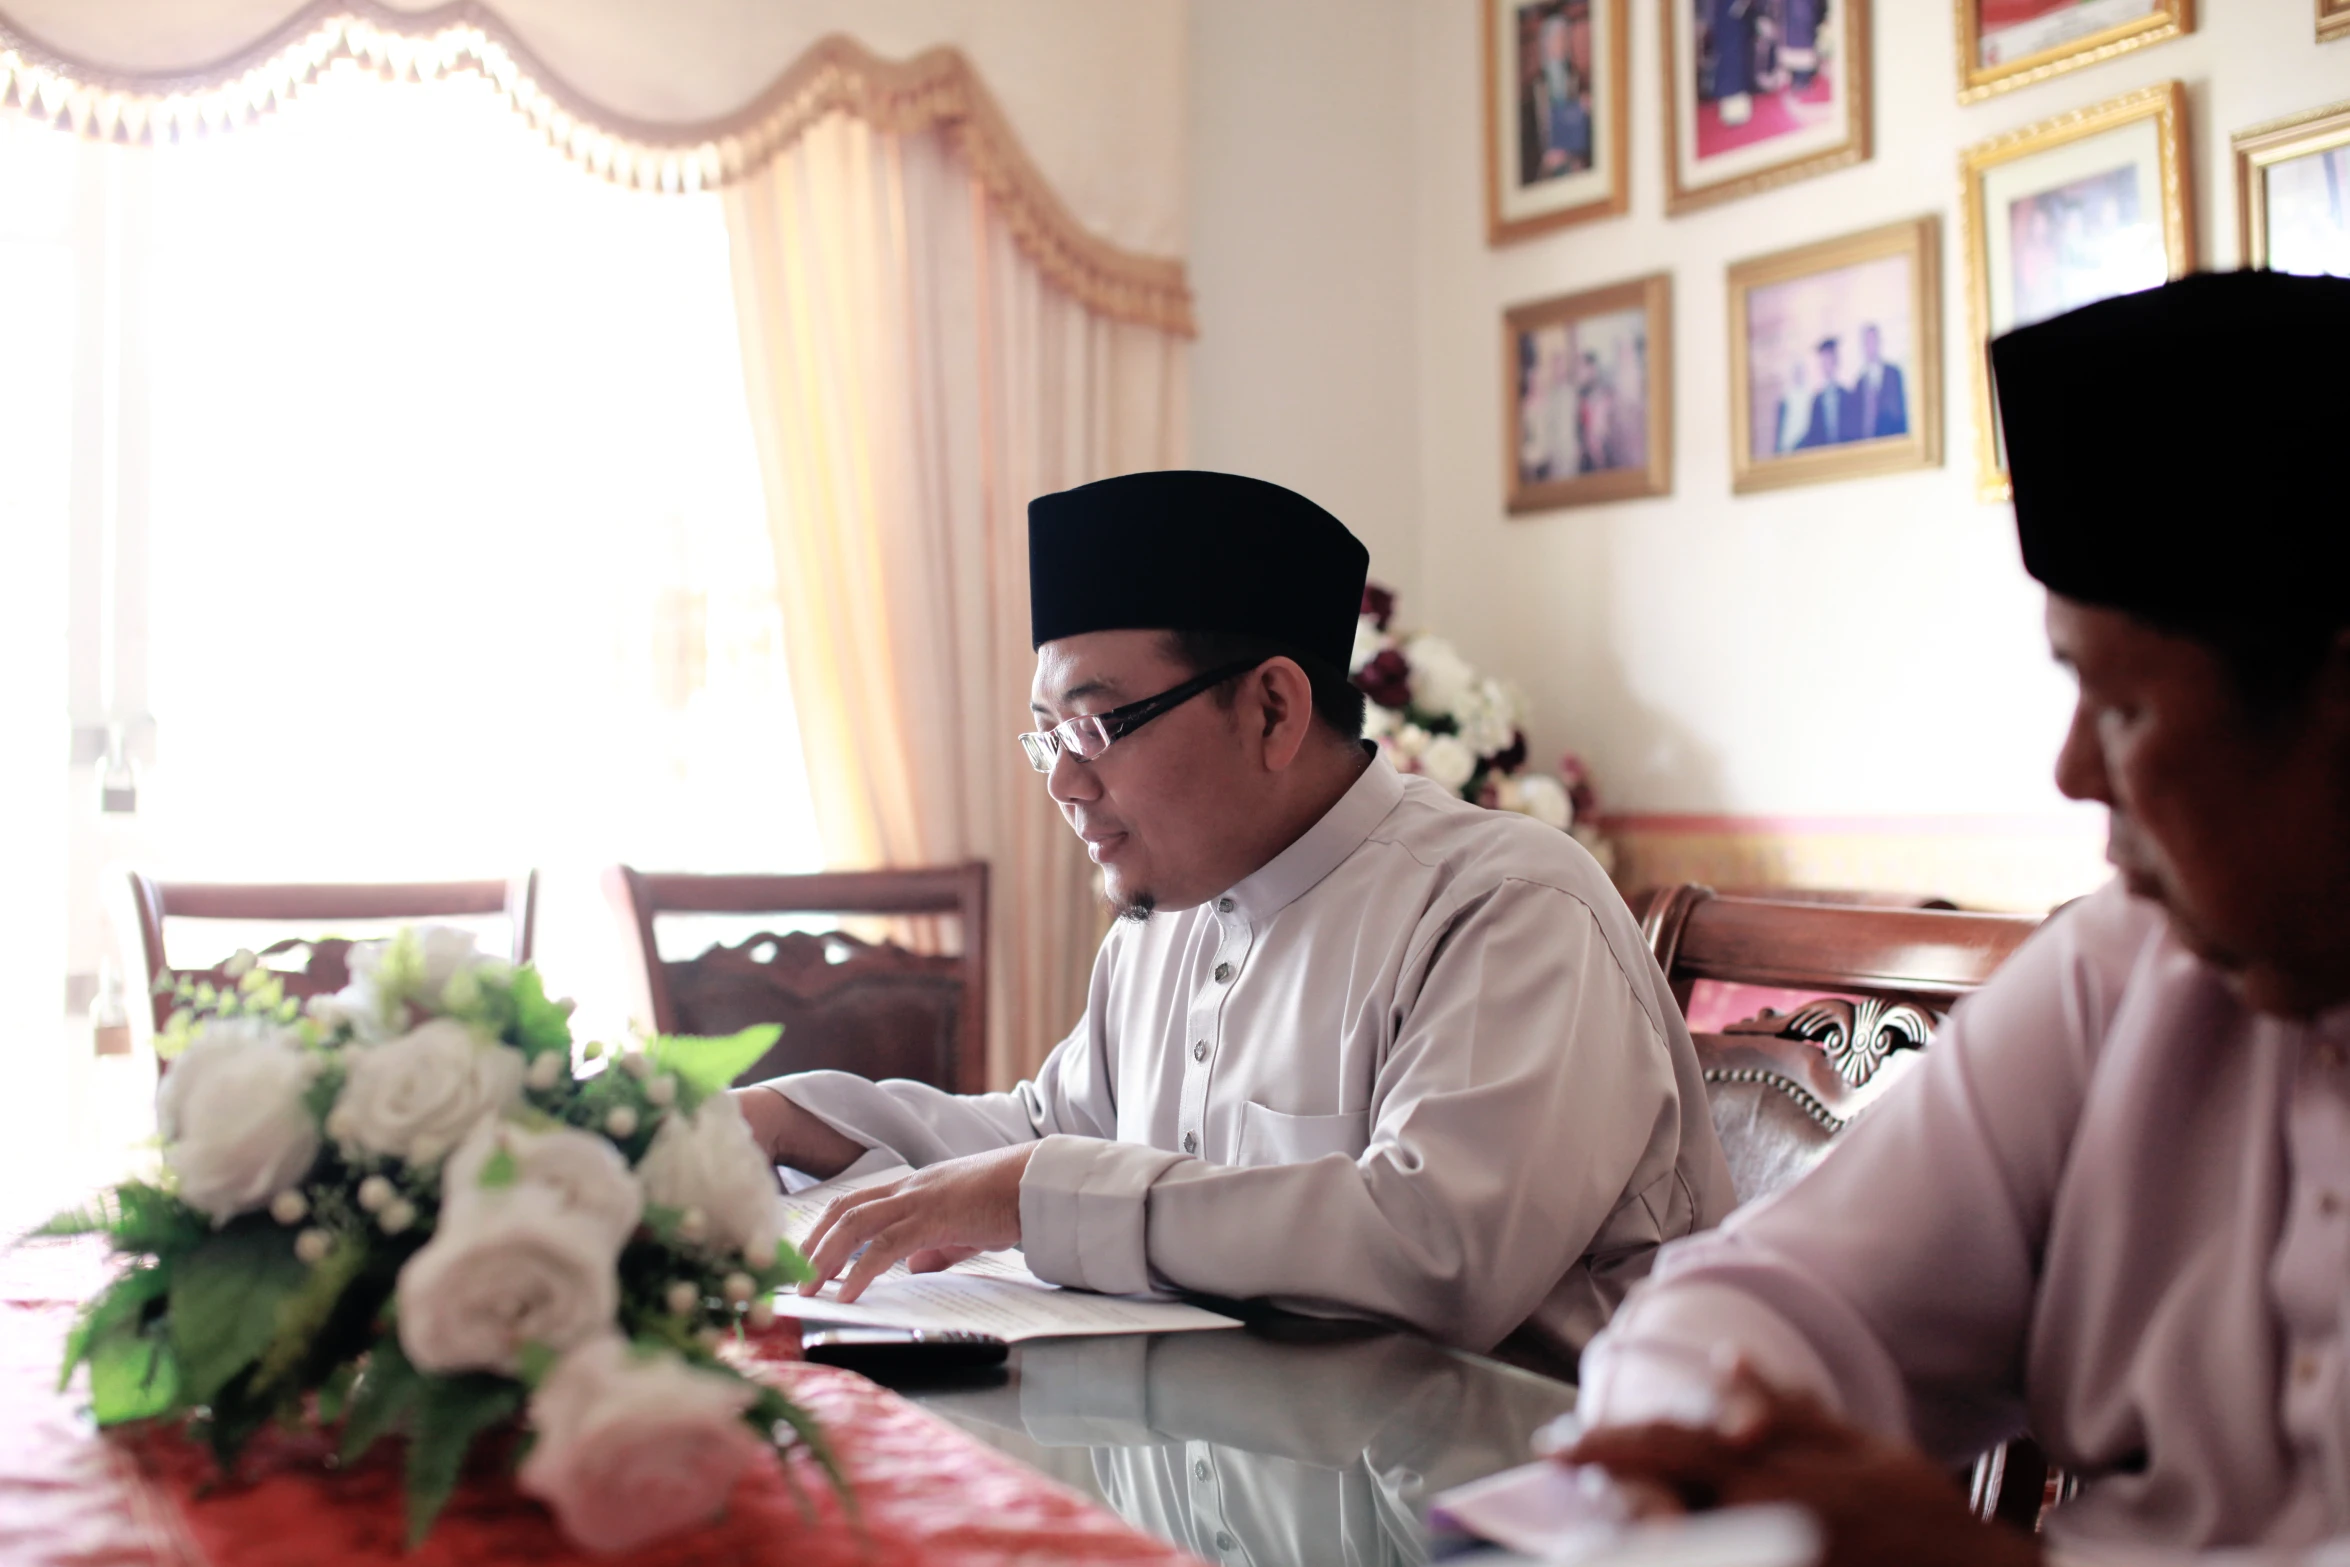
point(2069, 213)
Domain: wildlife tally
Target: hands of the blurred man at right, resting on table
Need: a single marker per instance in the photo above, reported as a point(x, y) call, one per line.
point(1876, 1500)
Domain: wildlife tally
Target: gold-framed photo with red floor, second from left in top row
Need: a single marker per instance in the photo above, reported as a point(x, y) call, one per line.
point(1761, 93)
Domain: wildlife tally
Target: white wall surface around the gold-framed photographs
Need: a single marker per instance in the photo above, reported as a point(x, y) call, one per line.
point(1862, 647)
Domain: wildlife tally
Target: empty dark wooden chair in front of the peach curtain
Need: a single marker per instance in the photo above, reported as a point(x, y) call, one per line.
point(845, 1004)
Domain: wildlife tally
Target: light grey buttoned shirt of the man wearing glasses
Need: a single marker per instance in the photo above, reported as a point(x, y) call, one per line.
point(1418, 1068)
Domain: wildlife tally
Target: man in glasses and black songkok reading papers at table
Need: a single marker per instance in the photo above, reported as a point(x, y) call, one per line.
point(1364, 1049)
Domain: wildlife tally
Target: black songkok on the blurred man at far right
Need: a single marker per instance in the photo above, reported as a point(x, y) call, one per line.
point(2180, 455)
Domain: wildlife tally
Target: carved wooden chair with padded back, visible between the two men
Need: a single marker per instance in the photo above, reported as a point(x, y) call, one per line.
point(1785, 1084)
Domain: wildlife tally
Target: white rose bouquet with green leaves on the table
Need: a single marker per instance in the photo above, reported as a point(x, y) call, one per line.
point(403, 1209)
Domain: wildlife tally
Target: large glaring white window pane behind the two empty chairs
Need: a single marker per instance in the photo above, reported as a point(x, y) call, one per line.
point(459, 546)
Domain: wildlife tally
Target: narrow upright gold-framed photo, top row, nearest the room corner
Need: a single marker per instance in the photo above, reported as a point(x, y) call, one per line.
point(1557, 116)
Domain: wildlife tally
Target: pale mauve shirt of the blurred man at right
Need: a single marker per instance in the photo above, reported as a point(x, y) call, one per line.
point(2114, 1204)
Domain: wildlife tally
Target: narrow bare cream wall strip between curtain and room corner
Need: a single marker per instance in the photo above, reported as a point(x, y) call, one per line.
point(1303, 260)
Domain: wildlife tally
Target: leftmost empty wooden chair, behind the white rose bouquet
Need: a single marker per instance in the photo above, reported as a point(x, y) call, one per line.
point(325, 957)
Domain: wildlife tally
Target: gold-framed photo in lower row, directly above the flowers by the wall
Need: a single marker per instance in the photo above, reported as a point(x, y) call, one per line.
point(1587, 398)
